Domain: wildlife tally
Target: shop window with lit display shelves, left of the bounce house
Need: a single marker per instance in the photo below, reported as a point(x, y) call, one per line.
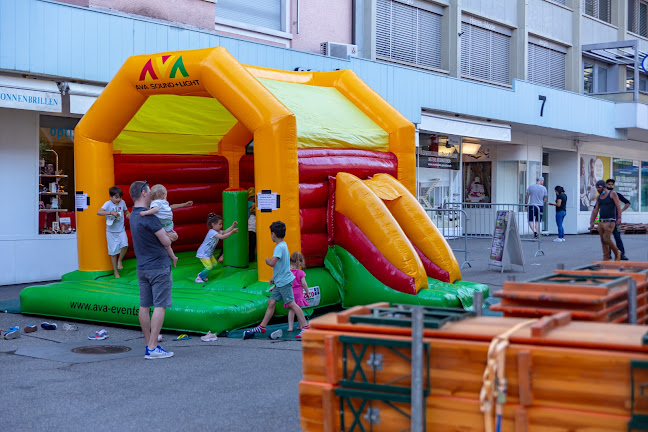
point(56, 175)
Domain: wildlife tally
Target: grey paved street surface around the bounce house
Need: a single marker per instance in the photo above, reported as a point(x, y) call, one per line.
point(229, 385)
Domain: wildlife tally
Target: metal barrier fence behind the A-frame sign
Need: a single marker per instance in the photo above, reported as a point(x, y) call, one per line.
point(480, 220)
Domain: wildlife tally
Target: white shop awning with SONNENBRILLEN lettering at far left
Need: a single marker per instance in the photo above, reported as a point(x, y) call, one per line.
point(29, 94)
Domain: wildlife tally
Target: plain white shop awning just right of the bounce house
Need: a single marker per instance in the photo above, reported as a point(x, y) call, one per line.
point(437, 123)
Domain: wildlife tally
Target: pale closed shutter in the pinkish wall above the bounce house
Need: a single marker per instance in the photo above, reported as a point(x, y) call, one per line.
point(262, 13)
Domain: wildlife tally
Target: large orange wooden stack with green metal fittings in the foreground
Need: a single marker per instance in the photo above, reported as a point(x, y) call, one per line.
point(561, 375)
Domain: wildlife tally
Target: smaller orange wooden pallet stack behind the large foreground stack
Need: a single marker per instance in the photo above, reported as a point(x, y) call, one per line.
point(593, 296)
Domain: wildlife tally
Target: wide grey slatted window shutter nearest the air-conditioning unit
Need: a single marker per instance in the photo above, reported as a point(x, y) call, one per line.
point(408, 34)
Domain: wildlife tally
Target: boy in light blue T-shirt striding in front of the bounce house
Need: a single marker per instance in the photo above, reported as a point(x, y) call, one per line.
point(282, 279)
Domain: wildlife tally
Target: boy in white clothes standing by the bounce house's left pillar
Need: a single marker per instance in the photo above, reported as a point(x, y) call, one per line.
point(115, 211)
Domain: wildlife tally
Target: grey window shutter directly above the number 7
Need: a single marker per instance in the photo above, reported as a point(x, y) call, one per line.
point(485, 54)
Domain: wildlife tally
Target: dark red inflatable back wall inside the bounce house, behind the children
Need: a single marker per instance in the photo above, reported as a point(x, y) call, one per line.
point(200, 179)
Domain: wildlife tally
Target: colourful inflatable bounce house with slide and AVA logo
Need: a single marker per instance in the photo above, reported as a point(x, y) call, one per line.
point(326, 154)
